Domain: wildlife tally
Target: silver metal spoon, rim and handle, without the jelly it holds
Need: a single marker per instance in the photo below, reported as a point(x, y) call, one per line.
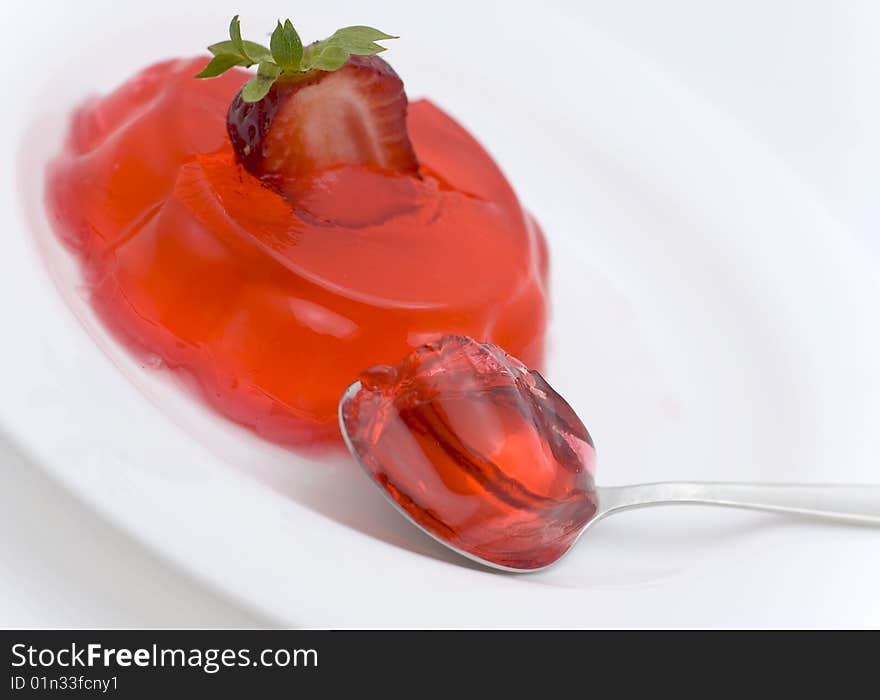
point(842, 503)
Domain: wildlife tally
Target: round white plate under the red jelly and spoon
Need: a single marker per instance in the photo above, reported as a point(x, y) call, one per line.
point(710, 322)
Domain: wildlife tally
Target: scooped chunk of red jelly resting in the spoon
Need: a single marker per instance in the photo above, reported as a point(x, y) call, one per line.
point(477, 450)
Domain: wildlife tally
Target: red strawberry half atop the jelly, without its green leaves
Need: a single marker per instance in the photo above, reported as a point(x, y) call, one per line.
point(319, 119)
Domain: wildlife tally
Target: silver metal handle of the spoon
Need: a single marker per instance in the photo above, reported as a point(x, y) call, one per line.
point(854, 504)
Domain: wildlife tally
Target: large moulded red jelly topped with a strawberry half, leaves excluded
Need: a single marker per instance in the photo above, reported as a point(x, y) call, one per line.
point(335, 231)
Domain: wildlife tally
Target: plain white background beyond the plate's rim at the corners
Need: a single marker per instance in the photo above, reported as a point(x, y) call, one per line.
point(800, 76)
